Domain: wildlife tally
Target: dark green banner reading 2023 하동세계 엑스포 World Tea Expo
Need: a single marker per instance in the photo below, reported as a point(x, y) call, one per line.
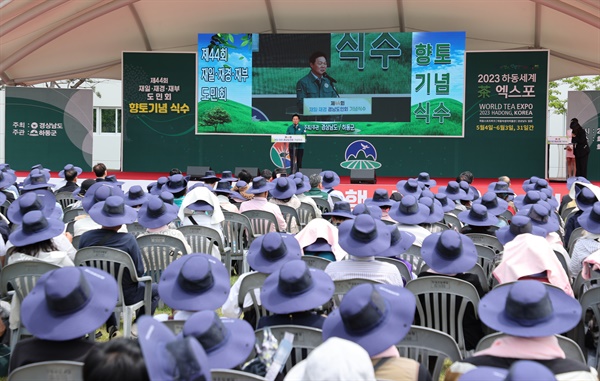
point(506, 107)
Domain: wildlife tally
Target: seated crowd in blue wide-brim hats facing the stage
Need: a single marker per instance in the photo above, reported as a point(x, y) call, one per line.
point(462, 261)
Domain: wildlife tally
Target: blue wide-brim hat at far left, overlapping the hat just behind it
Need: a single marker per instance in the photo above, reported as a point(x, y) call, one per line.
point(36, 228)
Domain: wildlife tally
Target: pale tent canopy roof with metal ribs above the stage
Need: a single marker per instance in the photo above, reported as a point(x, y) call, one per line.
point(42, 41)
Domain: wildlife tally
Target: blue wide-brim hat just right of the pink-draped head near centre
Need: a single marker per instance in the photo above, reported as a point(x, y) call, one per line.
point(364, 236)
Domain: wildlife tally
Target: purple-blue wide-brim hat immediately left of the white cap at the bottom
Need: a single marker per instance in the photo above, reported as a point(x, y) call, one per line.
point(227, 342)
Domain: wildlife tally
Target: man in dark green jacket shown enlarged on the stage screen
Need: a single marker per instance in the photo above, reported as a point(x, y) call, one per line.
point(317, 83)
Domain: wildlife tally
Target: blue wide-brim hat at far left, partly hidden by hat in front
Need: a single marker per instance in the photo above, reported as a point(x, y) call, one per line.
point(40, 199)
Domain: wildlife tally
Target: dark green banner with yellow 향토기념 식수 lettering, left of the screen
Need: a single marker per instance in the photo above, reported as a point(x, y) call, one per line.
point(159, 107)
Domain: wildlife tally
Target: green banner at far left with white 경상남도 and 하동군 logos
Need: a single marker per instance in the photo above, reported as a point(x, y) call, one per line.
point(52, 127)
